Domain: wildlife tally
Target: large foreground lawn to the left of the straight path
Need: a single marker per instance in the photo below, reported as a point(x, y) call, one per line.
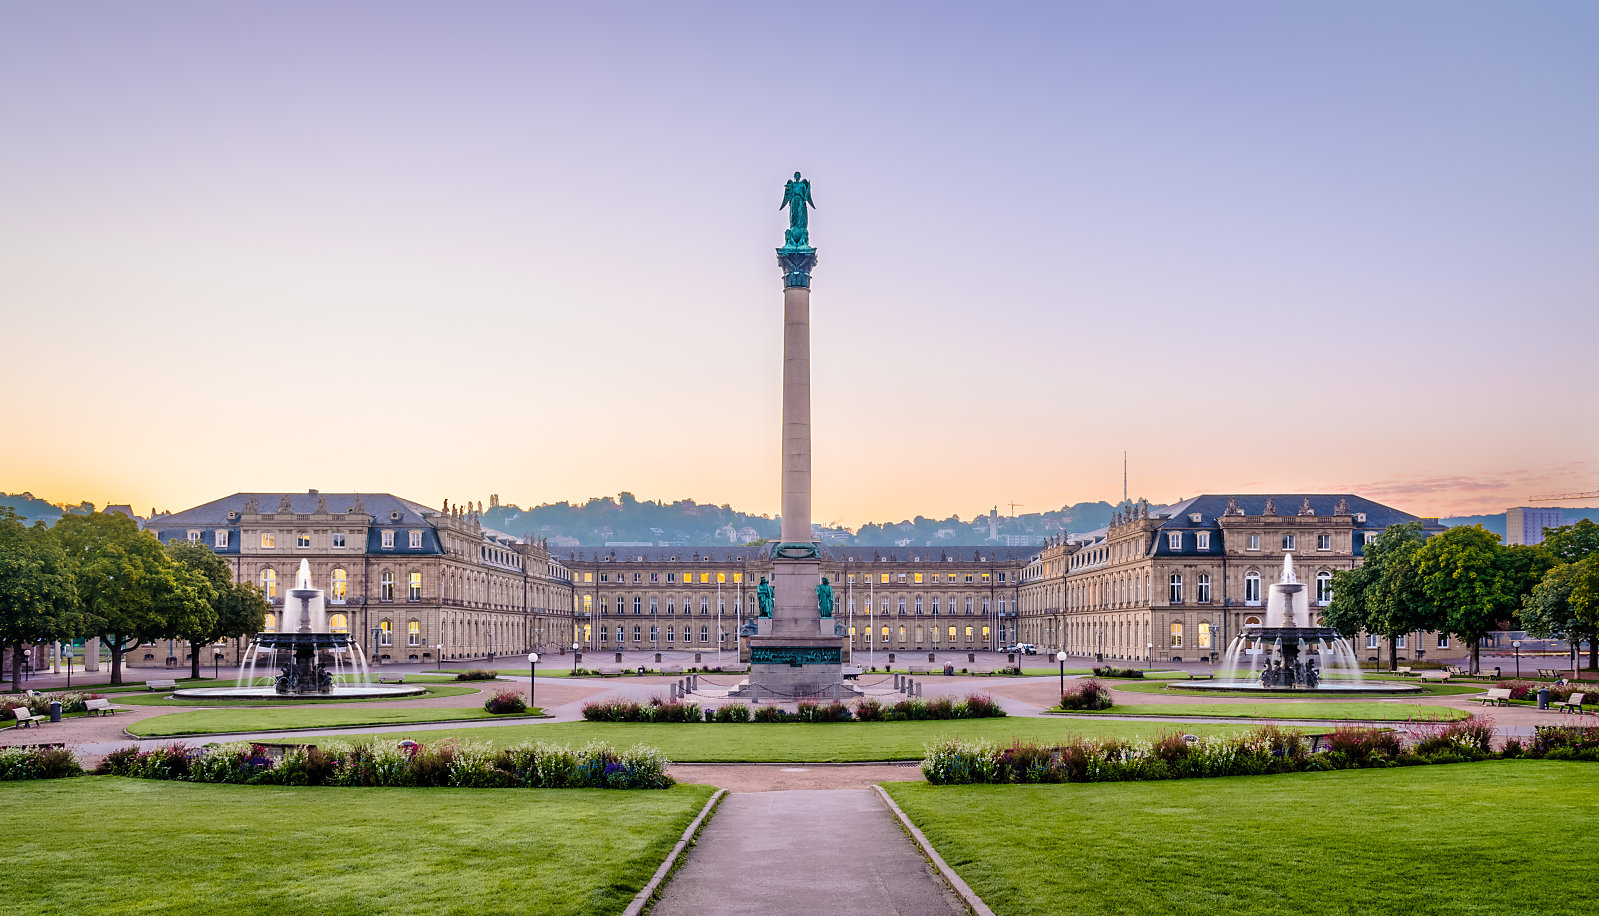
point(162, 848)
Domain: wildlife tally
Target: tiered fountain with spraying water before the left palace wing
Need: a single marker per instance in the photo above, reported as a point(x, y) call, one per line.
point(305, 675)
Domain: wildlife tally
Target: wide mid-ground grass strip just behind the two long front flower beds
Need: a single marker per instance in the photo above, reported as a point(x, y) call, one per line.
point(835, 743)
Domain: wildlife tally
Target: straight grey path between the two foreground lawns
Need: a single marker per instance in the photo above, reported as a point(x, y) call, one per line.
point(805, 853)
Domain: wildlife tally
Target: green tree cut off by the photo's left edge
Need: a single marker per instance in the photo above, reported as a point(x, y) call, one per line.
point(38, 602)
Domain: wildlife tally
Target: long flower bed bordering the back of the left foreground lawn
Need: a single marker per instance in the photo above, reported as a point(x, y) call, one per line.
point(445, 763)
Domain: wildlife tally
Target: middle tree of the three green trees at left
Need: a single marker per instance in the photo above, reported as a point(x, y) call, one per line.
point(129, 589)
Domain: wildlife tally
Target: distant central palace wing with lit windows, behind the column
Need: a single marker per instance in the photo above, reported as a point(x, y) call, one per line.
point(888, 600)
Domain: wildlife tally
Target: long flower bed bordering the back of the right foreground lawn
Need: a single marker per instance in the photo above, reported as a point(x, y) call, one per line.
point(1264, 751)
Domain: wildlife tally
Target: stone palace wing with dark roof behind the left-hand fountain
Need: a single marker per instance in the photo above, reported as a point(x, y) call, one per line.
point(418, 584)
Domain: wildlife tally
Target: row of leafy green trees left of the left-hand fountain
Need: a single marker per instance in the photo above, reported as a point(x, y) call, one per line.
point(102, 576)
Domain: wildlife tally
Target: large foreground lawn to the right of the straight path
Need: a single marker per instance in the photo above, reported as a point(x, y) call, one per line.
point(1416, 842)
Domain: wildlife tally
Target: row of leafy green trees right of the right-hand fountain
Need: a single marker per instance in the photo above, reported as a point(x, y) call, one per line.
point(1467, 584)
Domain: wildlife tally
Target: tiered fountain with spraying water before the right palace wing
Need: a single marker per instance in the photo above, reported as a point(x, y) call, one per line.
point(1291, 653)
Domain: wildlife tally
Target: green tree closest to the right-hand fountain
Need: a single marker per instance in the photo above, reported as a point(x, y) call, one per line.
point(1384, 595)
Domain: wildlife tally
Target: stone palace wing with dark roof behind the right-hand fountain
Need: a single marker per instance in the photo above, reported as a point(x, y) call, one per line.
point(1179, 583)
